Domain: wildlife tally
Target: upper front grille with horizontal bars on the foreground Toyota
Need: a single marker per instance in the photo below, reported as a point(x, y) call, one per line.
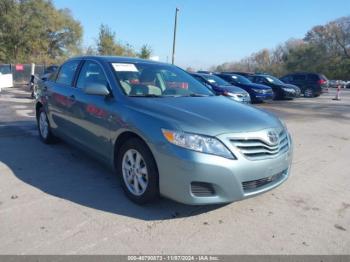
point(254, 148)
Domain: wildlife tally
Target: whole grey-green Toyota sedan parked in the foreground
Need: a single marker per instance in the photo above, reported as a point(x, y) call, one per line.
point(162, 131)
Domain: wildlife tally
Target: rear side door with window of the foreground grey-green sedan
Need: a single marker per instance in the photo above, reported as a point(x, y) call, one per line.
point(61, 98)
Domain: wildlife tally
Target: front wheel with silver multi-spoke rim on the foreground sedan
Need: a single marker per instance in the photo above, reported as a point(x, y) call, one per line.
point(137, 171)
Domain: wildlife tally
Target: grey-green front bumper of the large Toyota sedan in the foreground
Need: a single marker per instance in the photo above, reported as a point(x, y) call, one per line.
point(179, 167)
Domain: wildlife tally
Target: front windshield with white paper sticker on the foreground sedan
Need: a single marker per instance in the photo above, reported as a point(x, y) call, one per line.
point(157, 80)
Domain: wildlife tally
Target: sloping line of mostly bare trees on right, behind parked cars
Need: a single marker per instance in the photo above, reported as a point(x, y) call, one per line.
point(324, 49)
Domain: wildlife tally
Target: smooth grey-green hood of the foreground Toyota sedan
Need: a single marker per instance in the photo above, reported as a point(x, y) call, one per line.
point(211, 116)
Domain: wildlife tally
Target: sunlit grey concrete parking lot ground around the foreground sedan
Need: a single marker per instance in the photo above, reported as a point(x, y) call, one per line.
point(56, 200)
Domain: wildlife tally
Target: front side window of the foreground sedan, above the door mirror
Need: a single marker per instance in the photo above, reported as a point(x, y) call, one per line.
point(91, 73)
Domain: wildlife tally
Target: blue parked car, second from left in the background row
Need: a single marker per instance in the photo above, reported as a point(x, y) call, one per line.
point(257, 92)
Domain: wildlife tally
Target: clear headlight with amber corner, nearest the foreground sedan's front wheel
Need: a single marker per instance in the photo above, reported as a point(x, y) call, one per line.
point(199, 143)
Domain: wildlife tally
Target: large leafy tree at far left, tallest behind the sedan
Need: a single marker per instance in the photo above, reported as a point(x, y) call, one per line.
point(35, 31)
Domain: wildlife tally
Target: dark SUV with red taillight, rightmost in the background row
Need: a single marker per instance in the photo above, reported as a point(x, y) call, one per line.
point(310, 84)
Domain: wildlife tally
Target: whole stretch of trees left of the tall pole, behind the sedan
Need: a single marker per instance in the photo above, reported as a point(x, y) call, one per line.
point(34, 31)
